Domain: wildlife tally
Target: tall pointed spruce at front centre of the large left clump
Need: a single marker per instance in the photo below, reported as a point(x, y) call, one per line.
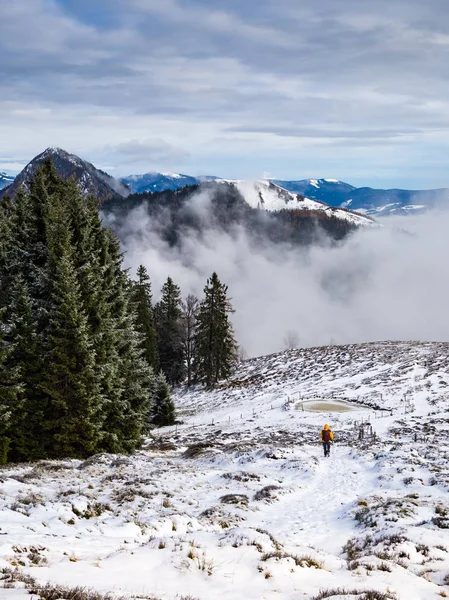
point(74, 424)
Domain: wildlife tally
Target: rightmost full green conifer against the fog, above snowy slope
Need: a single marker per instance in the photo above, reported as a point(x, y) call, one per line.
point(216, 348)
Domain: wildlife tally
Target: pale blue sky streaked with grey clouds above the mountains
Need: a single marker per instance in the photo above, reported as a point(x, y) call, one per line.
point(341, 89)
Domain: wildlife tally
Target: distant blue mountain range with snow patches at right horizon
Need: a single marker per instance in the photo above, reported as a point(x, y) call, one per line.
point(370, 201)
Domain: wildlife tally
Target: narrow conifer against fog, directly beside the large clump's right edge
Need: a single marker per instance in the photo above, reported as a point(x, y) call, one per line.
point(144, 317)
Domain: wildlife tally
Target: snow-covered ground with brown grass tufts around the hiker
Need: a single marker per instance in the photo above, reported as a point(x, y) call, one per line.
point(238, 501)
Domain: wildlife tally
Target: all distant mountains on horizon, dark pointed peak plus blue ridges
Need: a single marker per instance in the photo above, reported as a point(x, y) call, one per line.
point(337, 194)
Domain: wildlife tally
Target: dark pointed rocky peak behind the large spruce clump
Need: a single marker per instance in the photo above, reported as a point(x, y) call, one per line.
point(90, 179)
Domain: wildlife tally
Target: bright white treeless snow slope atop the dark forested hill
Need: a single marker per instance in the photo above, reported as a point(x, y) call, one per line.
point(267, 196)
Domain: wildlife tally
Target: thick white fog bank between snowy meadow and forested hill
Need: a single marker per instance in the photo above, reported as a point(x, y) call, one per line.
point(383, 284)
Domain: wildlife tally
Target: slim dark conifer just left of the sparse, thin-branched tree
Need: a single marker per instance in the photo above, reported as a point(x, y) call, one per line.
point(168, 318)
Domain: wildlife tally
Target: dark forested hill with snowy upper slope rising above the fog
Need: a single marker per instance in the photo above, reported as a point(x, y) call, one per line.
point(267, 212)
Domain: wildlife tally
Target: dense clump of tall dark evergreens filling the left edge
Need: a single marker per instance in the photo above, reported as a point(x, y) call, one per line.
point(72, 376)
